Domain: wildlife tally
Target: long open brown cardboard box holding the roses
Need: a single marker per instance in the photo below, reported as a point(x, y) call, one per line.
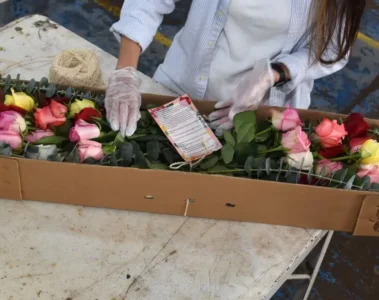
point(196, 195)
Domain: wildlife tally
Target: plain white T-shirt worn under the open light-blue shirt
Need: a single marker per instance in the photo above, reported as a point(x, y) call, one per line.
point(255, 29)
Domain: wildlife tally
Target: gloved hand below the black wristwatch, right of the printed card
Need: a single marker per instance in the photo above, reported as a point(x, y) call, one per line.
point(248, 95)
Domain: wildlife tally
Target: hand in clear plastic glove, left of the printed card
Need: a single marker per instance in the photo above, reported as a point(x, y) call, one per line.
point(123, 101)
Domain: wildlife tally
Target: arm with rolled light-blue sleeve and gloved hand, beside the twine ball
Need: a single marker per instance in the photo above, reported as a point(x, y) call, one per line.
point(136, 28)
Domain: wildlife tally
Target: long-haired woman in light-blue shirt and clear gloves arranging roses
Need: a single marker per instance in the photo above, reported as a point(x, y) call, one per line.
point(240, 53)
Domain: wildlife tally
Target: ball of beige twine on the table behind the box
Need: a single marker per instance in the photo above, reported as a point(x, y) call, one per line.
point(77, 68)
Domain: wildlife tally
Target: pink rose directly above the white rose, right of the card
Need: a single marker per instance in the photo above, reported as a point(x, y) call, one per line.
point(296, 141)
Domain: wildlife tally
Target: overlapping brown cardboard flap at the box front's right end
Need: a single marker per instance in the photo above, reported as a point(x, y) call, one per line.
point(368, 220)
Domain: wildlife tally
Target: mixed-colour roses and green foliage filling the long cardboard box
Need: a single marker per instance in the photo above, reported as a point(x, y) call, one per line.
point(39, 121)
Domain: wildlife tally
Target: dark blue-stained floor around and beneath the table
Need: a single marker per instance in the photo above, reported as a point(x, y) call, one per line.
point(351, 266)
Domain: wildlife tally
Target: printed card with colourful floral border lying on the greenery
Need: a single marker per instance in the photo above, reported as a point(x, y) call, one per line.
point(186, 129)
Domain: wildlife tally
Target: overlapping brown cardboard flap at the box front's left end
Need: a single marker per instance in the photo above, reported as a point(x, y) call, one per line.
point(10, 185)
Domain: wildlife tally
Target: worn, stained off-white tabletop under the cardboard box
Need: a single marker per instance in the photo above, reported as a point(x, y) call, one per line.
point(51, 251)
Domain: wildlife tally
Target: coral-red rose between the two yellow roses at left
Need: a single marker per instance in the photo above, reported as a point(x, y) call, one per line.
point(51, 115)
